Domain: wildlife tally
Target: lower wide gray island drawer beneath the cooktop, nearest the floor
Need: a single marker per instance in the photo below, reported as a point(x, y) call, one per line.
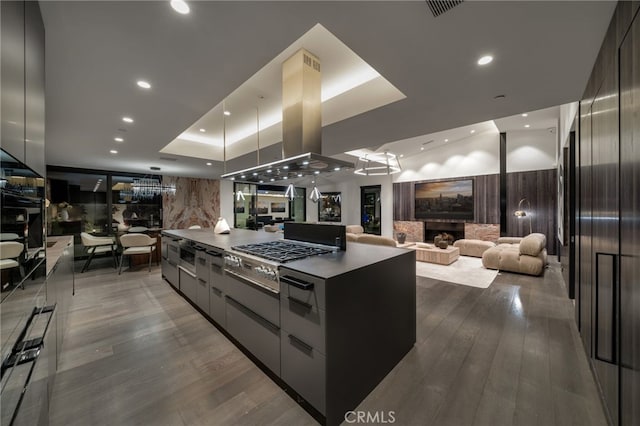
point(255, 333)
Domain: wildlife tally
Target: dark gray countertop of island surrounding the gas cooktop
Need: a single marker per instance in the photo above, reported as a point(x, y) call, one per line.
point(325, 266)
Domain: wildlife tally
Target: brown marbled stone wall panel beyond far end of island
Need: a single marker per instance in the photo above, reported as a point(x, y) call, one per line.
point(196, 202)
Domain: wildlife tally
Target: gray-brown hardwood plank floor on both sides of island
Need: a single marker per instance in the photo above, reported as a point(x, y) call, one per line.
point(137, 353)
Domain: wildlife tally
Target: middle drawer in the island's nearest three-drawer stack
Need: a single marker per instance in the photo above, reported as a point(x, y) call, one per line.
point(304, 321)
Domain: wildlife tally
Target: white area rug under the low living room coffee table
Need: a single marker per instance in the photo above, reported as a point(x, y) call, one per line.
point(466, 271)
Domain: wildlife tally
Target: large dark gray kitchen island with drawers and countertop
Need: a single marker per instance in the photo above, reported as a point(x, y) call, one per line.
point(337, 327)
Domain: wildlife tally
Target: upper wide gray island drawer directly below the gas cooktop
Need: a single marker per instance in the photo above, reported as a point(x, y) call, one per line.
point(259, 300)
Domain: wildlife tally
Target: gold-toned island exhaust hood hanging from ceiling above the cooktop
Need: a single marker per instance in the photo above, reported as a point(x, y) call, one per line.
point(301, 127)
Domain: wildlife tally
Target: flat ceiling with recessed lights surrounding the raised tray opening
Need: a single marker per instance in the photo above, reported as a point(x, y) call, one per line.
point(544, 52)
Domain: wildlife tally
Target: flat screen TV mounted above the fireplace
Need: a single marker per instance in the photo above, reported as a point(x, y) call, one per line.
point(450, 199)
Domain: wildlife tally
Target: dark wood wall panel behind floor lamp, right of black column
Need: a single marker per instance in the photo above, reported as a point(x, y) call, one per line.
point(539, 187)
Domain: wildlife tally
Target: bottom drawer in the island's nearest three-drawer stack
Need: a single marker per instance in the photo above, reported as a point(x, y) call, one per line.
point(303, 368)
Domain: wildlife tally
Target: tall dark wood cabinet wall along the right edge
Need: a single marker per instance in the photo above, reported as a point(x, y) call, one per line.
point(607, 281)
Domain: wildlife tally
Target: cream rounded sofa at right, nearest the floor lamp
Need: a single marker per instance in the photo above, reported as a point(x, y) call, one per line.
point(526, 255)
